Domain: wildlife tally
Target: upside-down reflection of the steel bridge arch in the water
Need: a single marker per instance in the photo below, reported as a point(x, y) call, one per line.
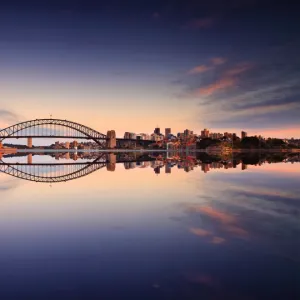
point(52, 173)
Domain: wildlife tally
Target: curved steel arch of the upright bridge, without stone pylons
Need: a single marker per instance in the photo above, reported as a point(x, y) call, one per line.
point(89, 133)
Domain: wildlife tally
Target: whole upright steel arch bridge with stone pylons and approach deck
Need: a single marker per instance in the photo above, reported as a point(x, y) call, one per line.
point(57, 128)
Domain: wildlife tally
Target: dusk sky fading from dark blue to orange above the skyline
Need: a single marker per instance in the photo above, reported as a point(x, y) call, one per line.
point(134, 65)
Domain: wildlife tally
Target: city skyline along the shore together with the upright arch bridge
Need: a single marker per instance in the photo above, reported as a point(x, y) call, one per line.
point(47, 130)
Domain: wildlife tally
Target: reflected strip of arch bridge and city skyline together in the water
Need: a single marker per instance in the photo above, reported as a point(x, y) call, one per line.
point(64, 167)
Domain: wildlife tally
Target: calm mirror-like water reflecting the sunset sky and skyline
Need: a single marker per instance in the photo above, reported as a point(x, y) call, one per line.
point(176, 229)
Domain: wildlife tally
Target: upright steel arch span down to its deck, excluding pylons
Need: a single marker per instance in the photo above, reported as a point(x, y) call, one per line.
point(52, 128)
